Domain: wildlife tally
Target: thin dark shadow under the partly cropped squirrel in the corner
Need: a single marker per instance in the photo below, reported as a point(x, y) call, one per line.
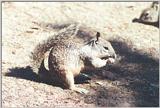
point(136, 20)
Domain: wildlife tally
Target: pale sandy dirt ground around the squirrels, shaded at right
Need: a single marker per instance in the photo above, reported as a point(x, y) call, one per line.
point(133, 81)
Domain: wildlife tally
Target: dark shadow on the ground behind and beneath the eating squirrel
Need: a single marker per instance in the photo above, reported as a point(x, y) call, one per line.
point(28, 74)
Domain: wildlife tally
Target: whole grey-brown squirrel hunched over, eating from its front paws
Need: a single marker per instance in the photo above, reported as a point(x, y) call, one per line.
point(68, 56)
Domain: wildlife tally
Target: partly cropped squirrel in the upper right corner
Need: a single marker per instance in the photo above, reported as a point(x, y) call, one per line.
point(150, 15)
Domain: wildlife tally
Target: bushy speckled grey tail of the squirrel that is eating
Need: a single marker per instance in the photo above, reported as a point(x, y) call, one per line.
point(38, 54)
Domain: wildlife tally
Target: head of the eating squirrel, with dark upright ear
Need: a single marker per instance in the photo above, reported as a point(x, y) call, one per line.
point(100, 48)
